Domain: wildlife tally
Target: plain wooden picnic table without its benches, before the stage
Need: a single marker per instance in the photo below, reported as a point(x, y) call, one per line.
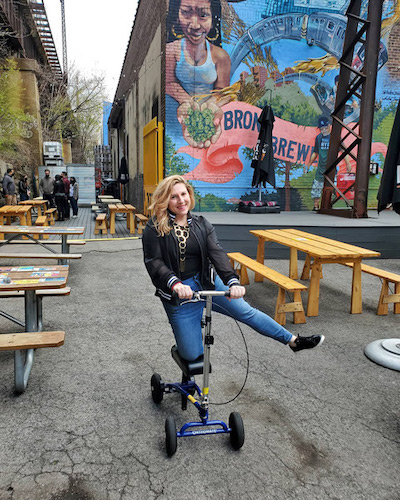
point(322, 251)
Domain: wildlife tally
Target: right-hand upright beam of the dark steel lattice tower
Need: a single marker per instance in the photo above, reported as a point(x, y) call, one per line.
point(367, 107)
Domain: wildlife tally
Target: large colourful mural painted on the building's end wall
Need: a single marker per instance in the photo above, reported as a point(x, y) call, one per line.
point(227, 60)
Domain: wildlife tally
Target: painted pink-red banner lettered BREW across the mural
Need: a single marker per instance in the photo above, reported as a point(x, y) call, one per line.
point(220, 162)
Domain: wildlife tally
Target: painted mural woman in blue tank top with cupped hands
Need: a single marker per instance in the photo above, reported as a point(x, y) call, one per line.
point(194, 65)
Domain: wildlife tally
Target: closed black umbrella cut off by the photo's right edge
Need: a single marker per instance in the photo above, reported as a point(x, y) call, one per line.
point(389, 189)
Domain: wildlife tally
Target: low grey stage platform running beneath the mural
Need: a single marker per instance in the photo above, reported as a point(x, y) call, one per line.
point(377, 232)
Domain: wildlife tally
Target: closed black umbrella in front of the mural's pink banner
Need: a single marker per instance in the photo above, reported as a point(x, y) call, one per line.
point(263, 158)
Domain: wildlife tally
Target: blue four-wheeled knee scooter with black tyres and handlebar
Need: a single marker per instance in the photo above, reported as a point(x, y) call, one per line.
point(188, 389)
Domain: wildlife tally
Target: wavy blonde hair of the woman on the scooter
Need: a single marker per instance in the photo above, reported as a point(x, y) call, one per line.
point(160, 201)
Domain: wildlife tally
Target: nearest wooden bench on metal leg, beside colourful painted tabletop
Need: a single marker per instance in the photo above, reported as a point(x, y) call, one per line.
point(24, 344)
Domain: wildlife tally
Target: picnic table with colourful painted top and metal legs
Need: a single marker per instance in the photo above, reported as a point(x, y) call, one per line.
point(29, 279)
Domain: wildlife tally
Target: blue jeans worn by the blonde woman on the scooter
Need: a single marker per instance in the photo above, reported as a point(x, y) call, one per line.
point(185, 320)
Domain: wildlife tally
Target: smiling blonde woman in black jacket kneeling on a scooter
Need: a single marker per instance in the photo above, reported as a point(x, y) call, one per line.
point(179, 249)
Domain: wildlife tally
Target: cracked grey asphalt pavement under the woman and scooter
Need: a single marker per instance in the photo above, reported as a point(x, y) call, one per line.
point(319, 424)
